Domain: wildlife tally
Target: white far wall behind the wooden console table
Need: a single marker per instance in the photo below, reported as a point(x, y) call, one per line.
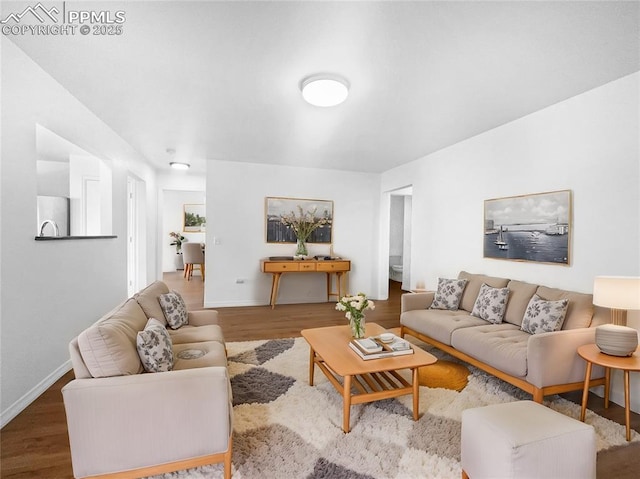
point(235, 217)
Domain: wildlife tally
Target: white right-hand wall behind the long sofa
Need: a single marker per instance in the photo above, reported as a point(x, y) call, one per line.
point(587, 144)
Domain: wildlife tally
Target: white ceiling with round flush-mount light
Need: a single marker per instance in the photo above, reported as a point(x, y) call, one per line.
point(220, 80)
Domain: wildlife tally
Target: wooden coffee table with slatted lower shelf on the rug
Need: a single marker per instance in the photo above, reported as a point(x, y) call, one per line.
point(363, 381)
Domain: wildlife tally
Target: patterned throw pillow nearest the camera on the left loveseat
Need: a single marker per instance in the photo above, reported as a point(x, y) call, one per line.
point(154, 347)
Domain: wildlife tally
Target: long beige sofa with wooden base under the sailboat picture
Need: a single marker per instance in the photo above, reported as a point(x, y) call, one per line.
point(540, 364)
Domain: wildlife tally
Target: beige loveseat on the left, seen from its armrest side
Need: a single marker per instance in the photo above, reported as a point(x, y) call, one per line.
point(130, 423)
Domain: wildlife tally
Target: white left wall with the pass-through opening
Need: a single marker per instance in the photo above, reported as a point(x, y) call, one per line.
point(51, 290)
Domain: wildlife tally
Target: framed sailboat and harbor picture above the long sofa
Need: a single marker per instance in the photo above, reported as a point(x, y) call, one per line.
point(536, 227)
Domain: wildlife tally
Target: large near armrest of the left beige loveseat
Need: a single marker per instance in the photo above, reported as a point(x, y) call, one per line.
point(128, 422)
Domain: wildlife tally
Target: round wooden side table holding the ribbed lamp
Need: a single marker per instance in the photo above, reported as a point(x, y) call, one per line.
point(592, 355)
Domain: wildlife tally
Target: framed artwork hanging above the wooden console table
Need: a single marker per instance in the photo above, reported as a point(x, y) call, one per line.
point(281, 211)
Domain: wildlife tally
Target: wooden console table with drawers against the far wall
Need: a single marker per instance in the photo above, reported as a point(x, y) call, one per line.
point(277, 267)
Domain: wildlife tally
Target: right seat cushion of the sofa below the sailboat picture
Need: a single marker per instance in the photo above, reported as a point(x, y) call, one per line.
point(502, 346)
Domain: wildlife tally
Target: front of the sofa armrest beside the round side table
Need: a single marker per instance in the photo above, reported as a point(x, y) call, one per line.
point(552, 358)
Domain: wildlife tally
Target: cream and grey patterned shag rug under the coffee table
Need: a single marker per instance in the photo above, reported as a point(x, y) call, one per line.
point(284, 428)
